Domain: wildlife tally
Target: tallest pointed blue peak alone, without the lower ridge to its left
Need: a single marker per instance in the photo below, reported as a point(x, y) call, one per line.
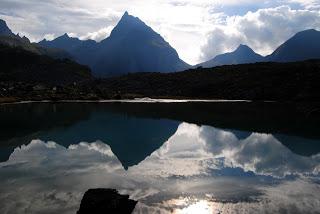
point(135, 47)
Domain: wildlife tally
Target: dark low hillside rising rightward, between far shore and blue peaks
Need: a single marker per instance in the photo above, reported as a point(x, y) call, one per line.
point(259, 81)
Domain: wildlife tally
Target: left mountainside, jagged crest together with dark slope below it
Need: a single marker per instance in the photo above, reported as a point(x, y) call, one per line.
point(24, 61)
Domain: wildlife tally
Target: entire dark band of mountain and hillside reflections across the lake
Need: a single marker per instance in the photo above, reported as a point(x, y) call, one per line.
point(134, 130)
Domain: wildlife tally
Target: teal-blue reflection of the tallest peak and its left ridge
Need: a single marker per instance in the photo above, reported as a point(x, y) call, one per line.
point(130, 138)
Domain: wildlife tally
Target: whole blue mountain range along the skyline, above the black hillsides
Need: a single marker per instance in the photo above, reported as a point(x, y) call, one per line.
point(135, 47)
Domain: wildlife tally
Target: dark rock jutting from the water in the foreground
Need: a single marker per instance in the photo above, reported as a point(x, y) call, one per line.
point(96, 201)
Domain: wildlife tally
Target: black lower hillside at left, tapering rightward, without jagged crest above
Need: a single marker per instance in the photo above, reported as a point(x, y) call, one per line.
point(21, 65)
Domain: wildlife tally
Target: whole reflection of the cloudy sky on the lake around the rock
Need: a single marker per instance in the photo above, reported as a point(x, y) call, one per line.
point(208, 166)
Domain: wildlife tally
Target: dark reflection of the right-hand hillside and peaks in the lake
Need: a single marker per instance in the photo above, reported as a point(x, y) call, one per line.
point(291, 123)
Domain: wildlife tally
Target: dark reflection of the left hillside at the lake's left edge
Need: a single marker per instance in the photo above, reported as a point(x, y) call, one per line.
point(22, 123)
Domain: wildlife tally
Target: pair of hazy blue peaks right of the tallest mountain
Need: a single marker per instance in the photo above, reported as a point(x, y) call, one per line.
point(302, 46)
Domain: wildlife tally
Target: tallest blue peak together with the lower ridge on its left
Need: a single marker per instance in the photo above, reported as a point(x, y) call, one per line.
point(131, 47)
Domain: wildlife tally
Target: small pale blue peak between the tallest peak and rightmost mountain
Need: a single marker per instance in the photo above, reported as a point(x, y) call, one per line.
point(242, 55)
